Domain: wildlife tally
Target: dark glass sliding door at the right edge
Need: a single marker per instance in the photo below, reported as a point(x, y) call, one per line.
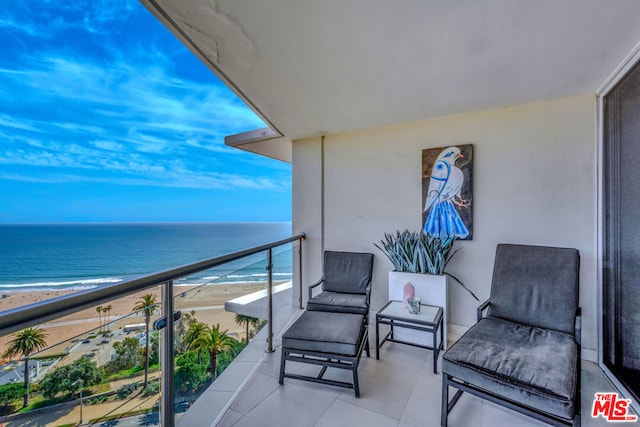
point(621, 262)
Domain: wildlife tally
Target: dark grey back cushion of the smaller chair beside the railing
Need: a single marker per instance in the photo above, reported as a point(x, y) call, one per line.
point(347, 272)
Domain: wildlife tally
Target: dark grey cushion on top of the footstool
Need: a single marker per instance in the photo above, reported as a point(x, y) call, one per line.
point(324, 332)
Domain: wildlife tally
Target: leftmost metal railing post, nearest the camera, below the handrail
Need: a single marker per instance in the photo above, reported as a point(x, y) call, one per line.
point(167, 355)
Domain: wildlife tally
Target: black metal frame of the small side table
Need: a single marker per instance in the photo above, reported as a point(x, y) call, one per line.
point(409, 323)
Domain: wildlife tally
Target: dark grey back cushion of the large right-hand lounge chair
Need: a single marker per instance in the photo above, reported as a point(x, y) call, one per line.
point(536, 285)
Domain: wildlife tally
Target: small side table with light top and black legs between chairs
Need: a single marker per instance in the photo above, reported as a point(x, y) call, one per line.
point(396, 315)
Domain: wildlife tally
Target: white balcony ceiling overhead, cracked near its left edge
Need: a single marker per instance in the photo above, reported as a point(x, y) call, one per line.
point(329, 66)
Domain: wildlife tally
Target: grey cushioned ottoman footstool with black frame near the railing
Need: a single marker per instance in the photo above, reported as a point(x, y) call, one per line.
point(329, 340)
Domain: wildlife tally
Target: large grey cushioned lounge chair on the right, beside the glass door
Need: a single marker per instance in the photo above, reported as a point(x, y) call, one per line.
point(525, 354)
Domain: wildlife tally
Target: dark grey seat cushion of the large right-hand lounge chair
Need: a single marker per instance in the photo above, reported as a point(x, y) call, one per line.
point(533, 366)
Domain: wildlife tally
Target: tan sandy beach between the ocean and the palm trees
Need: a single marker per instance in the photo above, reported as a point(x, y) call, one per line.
point(206, 301)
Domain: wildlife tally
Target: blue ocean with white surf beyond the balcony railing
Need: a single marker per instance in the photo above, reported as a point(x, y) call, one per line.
point(52, 257)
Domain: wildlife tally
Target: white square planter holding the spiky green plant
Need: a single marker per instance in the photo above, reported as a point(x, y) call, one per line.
point(432, 289)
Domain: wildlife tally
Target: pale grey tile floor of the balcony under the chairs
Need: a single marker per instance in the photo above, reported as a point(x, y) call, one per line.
point(399, 390)
